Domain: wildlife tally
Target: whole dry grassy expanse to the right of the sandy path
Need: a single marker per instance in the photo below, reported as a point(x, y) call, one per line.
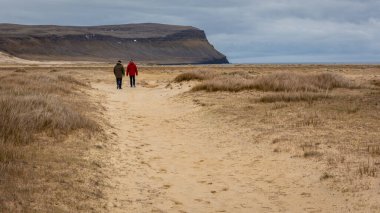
point(330, 118)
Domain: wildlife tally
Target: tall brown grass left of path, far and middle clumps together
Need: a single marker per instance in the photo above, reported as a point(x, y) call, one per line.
point(31, 105)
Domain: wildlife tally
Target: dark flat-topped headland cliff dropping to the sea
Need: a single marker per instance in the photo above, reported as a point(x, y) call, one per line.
point(149, 43)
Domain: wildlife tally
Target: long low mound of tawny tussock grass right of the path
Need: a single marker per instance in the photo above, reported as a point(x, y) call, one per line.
point(288, 82)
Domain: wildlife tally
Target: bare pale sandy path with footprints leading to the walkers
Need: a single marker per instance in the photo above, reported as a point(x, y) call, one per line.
point(169, 156)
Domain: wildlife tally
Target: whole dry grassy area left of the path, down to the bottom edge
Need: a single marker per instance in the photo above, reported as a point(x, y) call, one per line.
point(36, 110)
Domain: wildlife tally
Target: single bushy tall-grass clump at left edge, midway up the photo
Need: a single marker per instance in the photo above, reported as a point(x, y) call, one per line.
point(24, 116)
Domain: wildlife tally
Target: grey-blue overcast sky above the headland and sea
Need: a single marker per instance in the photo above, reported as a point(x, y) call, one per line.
point(246, 31)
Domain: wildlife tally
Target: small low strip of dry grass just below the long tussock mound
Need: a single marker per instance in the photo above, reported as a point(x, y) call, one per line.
point(293, 97)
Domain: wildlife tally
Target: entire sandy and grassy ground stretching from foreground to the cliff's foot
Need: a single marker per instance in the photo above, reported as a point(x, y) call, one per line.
point(221, 138)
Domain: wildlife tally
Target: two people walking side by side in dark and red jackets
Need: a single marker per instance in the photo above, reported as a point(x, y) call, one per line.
point(119, 72)
